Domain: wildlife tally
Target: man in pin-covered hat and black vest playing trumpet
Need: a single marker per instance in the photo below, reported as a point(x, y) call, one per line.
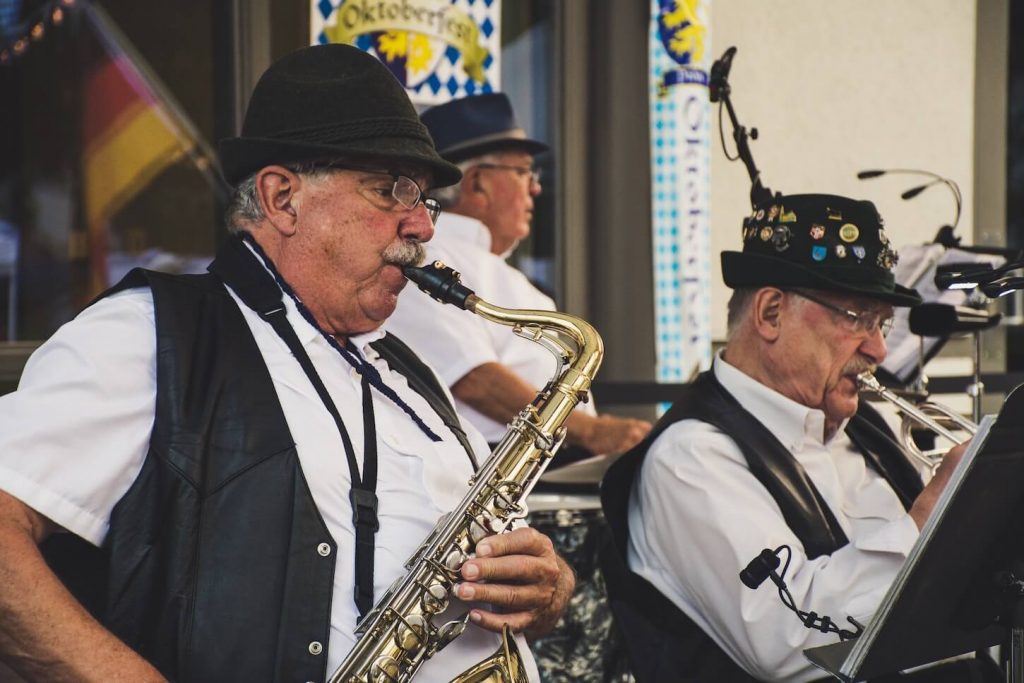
point(773, 448)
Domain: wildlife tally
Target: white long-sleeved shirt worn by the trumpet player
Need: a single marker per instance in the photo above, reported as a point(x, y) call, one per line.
point(698, 517)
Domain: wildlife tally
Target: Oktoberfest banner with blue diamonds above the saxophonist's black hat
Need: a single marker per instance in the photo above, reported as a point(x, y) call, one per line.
point(439, 50)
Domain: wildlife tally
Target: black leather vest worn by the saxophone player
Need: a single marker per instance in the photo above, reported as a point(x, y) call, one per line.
point(216, 567)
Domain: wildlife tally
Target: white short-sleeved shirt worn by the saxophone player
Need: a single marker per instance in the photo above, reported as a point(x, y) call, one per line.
point(74, 437)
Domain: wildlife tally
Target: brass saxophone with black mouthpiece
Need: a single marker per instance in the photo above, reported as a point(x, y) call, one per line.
point(399, 635)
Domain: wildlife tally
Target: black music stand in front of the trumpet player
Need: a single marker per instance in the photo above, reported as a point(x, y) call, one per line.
point(962, 588)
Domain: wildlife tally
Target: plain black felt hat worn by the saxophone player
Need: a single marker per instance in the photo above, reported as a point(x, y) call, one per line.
point(327, 102)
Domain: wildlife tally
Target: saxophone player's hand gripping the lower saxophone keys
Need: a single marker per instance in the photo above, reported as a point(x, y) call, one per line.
point(522, 579)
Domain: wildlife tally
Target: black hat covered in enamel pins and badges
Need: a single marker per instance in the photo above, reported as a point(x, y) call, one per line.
point(821, 242)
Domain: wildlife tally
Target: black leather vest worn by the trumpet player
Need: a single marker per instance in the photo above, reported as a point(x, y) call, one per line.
point(665, 647)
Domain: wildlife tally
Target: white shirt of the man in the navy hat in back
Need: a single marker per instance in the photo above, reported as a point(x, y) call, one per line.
point(455, 341)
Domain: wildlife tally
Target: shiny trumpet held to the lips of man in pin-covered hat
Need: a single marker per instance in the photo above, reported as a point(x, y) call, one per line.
point(947, 423)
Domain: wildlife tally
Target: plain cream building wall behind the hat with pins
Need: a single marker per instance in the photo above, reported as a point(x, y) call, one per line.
point(840, 87)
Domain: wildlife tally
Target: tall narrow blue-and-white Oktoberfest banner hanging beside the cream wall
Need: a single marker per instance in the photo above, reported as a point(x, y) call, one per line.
point(680, 139)
